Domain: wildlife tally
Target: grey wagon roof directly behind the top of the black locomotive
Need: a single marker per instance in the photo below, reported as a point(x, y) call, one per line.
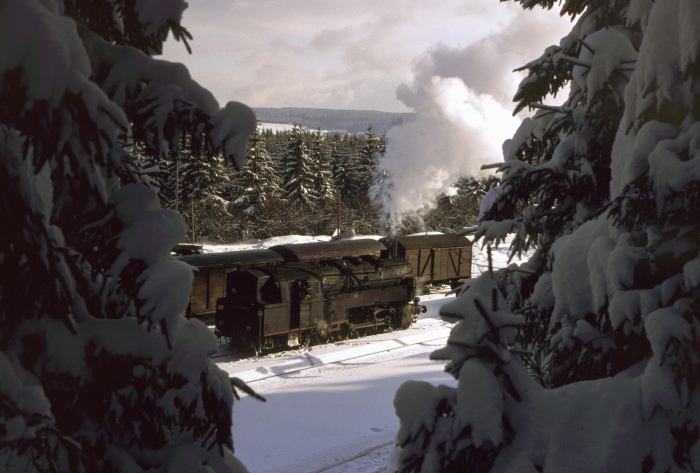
point(329, 249)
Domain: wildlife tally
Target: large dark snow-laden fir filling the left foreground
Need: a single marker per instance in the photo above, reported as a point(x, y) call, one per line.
point(98, 369)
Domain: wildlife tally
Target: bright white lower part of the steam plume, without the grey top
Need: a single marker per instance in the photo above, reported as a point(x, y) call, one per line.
point(453, 136)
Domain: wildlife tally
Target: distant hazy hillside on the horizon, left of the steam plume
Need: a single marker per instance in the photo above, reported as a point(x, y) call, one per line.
point(352, 121)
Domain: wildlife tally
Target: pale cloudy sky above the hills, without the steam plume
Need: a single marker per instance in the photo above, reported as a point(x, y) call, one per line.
point(351, 54)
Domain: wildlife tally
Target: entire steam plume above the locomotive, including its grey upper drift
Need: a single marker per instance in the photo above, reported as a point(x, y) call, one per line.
point(462, 99)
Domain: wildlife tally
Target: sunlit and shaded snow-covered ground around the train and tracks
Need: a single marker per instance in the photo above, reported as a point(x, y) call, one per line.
point(330, 408)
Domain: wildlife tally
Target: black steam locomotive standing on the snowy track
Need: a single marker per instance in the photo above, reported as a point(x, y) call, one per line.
point(321, 291)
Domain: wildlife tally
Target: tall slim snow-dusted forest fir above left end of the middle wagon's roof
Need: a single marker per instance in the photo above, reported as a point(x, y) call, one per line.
point(297, 174)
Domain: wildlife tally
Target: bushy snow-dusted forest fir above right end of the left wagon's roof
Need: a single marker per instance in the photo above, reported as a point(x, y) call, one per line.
point(257, 181)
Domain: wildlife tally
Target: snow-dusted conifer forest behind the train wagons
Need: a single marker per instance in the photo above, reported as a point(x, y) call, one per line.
point(297, 181)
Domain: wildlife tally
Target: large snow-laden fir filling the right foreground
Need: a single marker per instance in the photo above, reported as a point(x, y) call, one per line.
point(586, 358)
